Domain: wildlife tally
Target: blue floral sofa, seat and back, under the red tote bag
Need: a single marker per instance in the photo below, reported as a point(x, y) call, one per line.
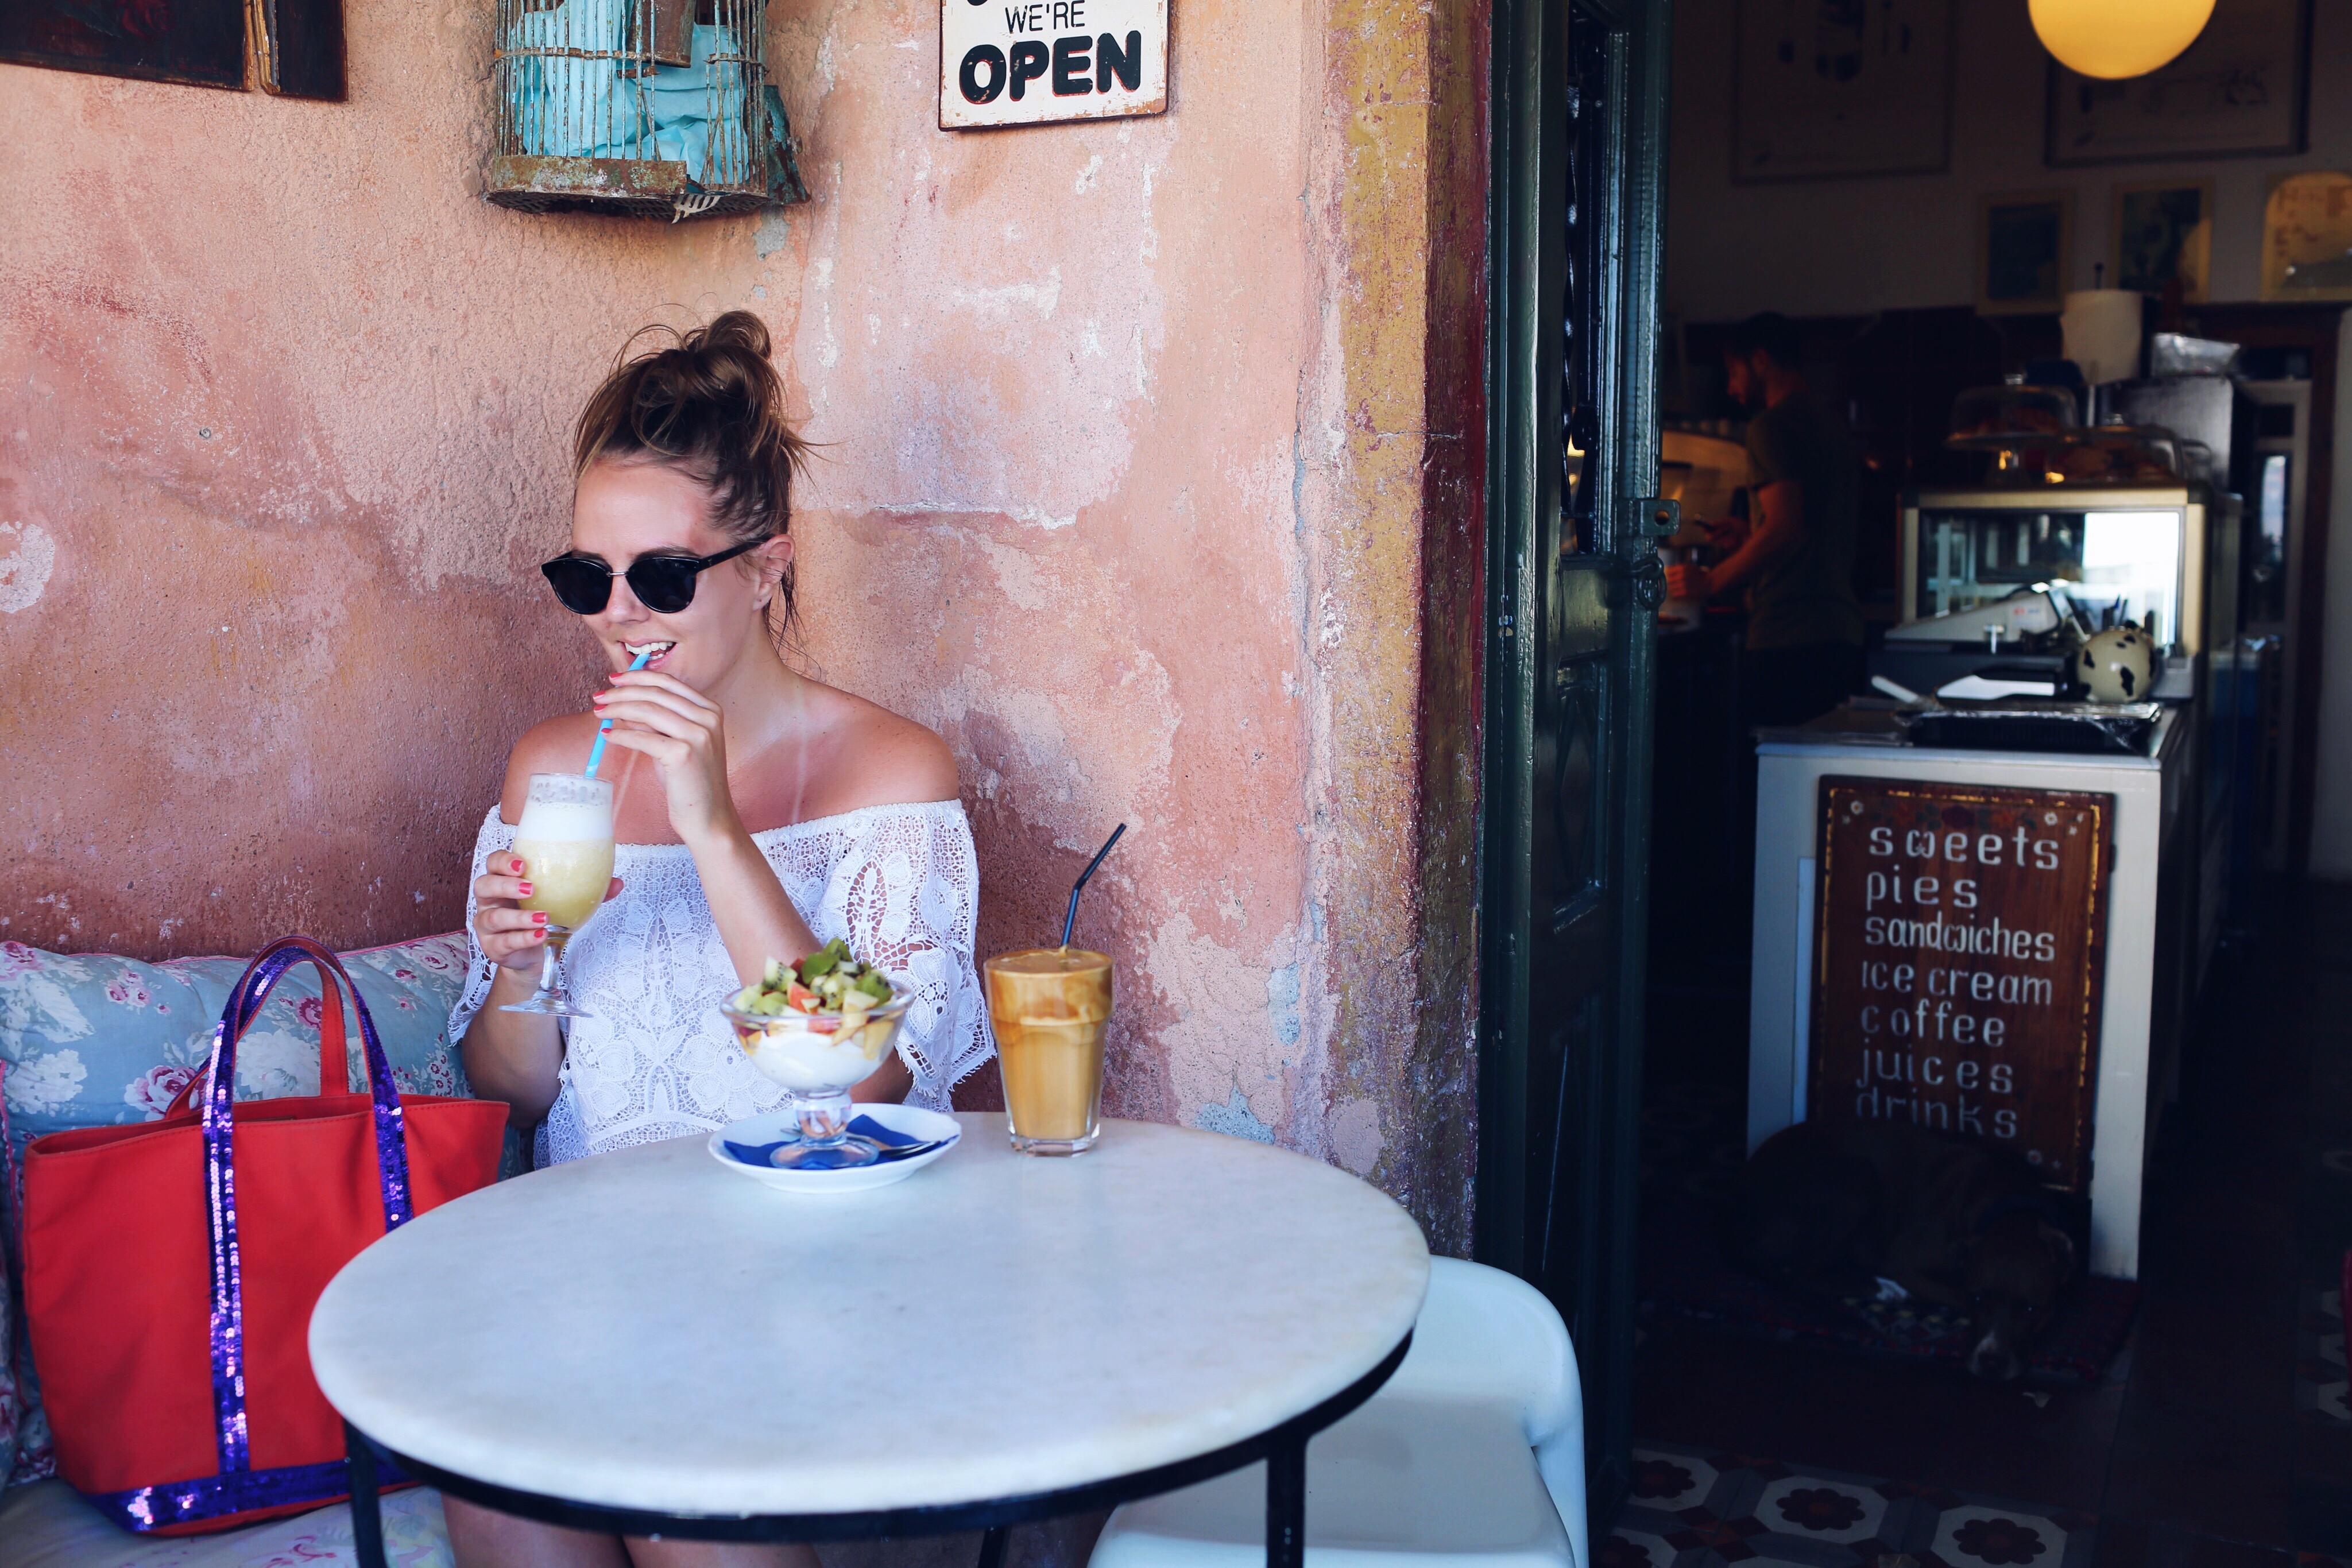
point(95, 1040)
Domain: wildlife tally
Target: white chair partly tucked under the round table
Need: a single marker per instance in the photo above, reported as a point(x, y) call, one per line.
point(1474, 1456)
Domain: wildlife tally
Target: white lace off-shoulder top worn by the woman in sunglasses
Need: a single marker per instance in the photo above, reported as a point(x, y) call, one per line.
point(657, 1061)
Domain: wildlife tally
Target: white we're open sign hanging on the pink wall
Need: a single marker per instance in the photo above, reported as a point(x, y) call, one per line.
point(1029, 62)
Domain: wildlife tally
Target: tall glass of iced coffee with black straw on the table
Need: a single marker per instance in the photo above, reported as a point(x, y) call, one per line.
point(1050, 1010)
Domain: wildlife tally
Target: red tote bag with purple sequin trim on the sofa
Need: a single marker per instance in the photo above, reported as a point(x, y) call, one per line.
point(171, 1268)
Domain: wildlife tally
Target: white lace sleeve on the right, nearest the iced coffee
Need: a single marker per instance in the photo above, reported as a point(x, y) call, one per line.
point(907, 899)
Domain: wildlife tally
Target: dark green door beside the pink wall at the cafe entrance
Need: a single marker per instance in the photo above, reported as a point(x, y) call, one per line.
point(1572, 591)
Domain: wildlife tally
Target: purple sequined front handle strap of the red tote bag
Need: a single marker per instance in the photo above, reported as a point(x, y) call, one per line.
point(246, 1000)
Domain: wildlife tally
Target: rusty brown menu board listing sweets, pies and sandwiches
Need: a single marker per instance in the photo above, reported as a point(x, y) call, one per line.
point(1958, 958)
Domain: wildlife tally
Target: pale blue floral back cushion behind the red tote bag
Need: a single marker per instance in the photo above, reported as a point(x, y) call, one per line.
point(98, 1040)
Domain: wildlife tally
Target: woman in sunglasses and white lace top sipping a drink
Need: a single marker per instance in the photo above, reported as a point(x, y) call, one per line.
point(759, 817)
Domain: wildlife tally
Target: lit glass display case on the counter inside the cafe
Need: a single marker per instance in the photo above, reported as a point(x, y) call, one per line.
point(2120, 554)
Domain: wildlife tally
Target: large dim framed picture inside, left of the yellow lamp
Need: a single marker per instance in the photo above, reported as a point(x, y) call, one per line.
point(1836, 91)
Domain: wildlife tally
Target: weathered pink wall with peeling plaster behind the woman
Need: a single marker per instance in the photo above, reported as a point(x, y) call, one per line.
point(1149, 462)
